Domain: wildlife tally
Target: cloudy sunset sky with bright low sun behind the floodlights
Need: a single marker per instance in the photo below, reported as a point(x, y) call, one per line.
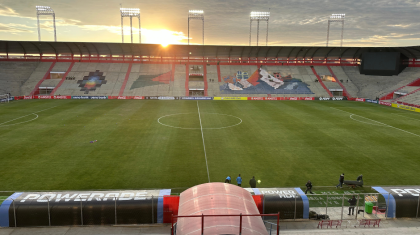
point(292, 22)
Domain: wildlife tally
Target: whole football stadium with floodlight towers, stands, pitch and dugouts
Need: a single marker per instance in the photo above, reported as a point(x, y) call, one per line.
point(208, 139)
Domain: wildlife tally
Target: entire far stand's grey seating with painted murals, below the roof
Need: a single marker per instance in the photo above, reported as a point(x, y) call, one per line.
point(21, 78)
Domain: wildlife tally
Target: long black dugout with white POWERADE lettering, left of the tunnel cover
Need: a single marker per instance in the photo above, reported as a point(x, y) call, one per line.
point(97, 207)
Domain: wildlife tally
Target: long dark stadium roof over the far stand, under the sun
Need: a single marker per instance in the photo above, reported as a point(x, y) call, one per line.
point(156, 50)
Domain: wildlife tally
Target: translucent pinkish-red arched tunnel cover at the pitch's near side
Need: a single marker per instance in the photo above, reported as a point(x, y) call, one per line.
point(218, 199)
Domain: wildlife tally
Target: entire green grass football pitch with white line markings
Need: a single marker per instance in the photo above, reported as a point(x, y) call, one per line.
point(145, 144)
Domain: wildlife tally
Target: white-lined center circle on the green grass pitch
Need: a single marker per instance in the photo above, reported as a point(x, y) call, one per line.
point(183, 121)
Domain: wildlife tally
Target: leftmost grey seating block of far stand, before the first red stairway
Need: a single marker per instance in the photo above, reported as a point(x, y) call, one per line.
point(14, 74)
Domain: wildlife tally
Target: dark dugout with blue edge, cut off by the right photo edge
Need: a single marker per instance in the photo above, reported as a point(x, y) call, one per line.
point(402, 201)
